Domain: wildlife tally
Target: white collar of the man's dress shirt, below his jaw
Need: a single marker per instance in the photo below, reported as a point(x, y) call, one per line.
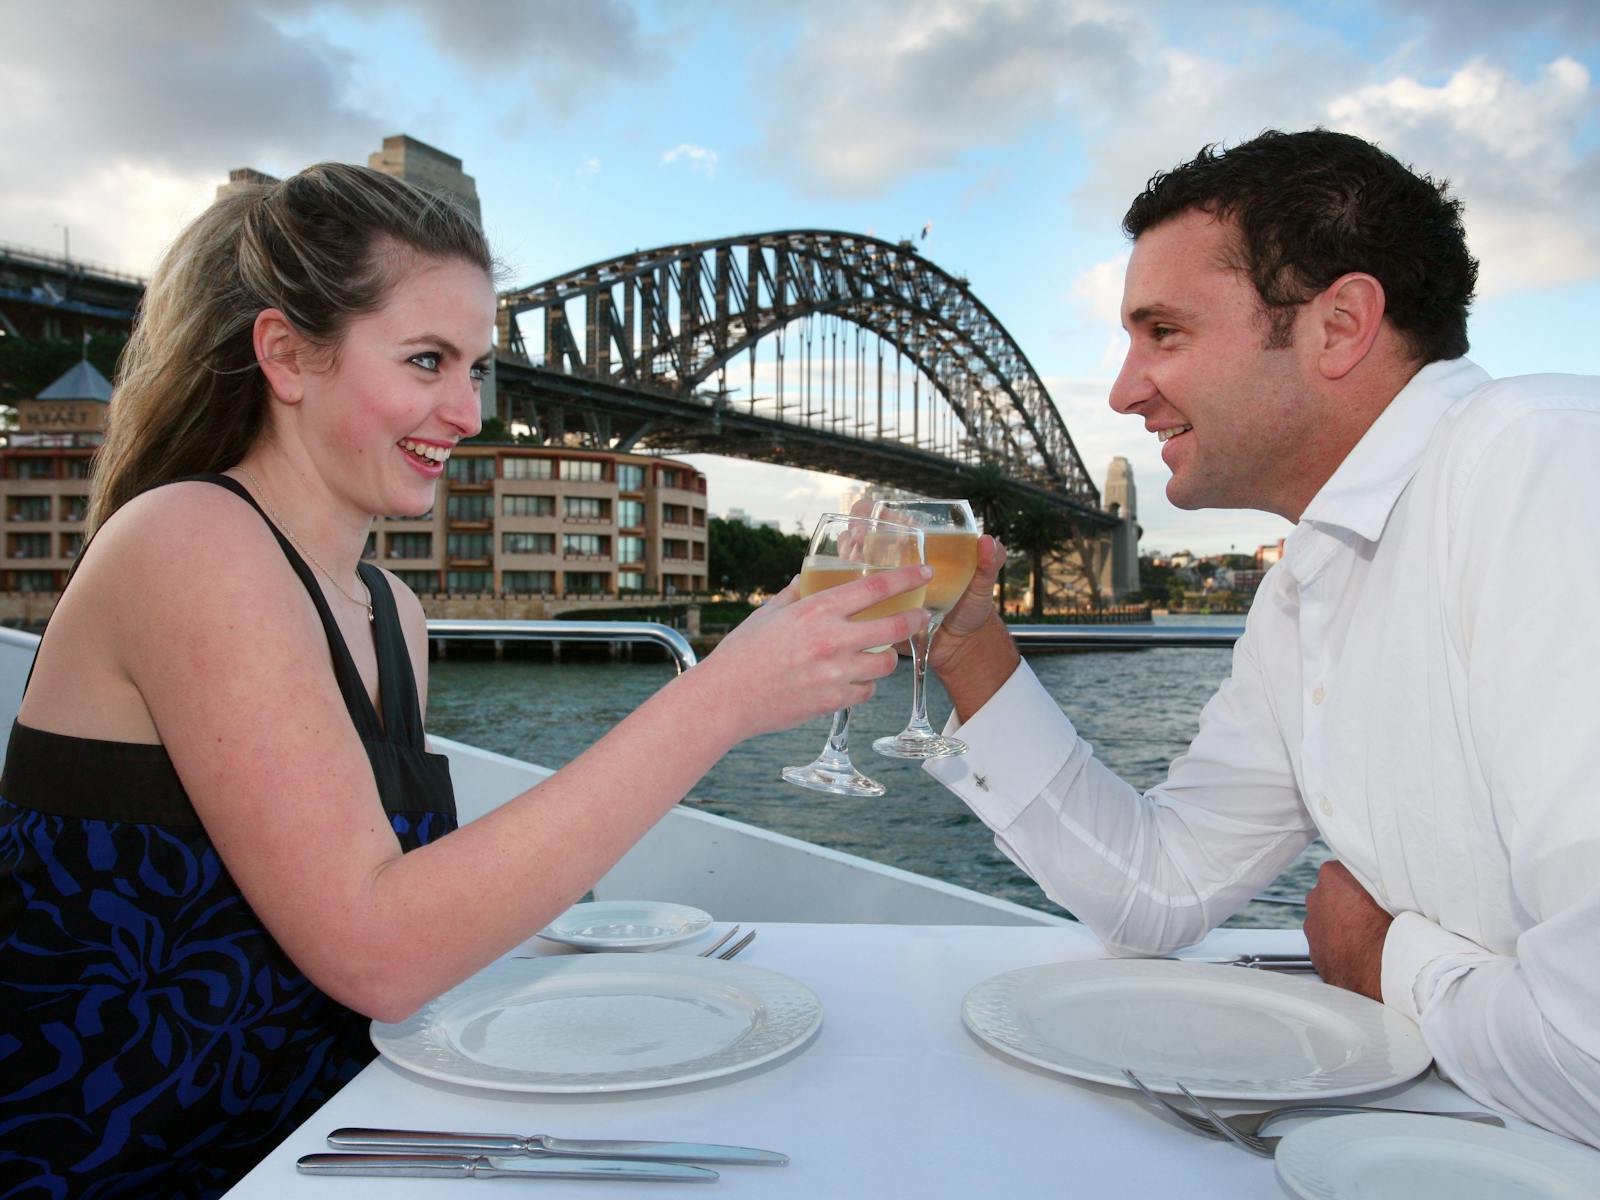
point(1362, 492)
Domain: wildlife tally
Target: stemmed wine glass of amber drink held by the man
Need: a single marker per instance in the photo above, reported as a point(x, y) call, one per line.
point(951, 548)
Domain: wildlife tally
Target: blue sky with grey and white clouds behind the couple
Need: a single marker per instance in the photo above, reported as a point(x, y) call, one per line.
point(1017, 132)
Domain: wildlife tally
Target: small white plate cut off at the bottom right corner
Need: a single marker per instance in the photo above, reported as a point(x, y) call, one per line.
point(1402, 1158)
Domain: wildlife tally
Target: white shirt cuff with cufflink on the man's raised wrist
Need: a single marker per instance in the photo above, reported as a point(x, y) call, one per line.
point(1015, 746)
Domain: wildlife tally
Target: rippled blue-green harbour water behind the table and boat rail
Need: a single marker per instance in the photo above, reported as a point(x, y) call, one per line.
point(1138, 710)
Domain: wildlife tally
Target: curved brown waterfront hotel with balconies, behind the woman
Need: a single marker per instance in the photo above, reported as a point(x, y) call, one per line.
point(511, 521)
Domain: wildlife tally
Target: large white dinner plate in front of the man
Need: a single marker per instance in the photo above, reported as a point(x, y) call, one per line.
point(1223, 1031)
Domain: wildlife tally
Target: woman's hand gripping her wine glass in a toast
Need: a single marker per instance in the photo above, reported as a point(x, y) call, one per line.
point(794, 660)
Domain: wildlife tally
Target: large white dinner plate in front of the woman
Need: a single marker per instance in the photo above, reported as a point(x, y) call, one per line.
point(604, 1023)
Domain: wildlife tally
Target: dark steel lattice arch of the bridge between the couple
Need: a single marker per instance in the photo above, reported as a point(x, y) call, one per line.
point(665, 322)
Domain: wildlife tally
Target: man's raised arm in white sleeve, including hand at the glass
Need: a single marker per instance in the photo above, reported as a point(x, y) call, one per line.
point(1146, 873)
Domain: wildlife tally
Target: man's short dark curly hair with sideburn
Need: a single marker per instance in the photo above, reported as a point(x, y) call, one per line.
point(1314, 206)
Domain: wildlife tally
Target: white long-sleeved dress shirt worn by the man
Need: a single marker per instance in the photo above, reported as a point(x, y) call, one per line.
point(1418, 686)
